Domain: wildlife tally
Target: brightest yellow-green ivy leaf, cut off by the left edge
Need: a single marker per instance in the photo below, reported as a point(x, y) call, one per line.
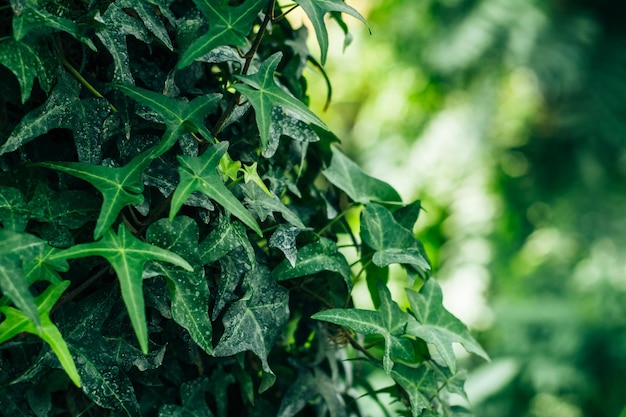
point(16, 322)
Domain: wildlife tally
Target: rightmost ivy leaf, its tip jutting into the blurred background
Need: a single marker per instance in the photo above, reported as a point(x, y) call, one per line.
point(436, 325)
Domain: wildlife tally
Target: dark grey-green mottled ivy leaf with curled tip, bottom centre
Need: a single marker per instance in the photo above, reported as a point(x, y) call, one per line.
point(254, 322)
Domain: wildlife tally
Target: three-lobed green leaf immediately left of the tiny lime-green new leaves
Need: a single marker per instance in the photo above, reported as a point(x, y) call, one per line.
point(200, 174)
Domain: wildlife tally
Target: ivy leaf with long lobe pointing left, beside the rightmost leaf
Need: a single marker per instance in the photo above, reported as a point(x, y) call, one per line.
point(389, 322)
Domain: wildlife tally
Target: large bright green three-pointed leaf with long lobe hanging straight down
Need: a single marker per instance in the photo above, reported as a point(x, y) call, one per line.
point(127, 255)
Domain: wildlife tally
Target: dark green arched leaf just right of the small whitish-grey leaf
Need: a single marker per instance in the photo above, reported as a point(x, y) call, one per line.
point(322, 255)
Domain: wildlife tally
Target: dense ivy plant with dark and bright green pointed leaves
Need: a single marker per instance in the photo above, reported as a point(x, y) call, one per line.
point(174, 224)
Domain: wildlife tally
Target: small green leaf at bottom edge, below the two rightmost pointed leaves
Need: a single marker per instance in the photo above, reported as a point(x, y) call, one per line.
point(419, 384)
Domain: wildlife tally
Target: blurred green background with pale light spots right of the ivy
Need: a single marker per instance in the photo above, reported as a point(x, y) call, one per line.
point(507, 118)
